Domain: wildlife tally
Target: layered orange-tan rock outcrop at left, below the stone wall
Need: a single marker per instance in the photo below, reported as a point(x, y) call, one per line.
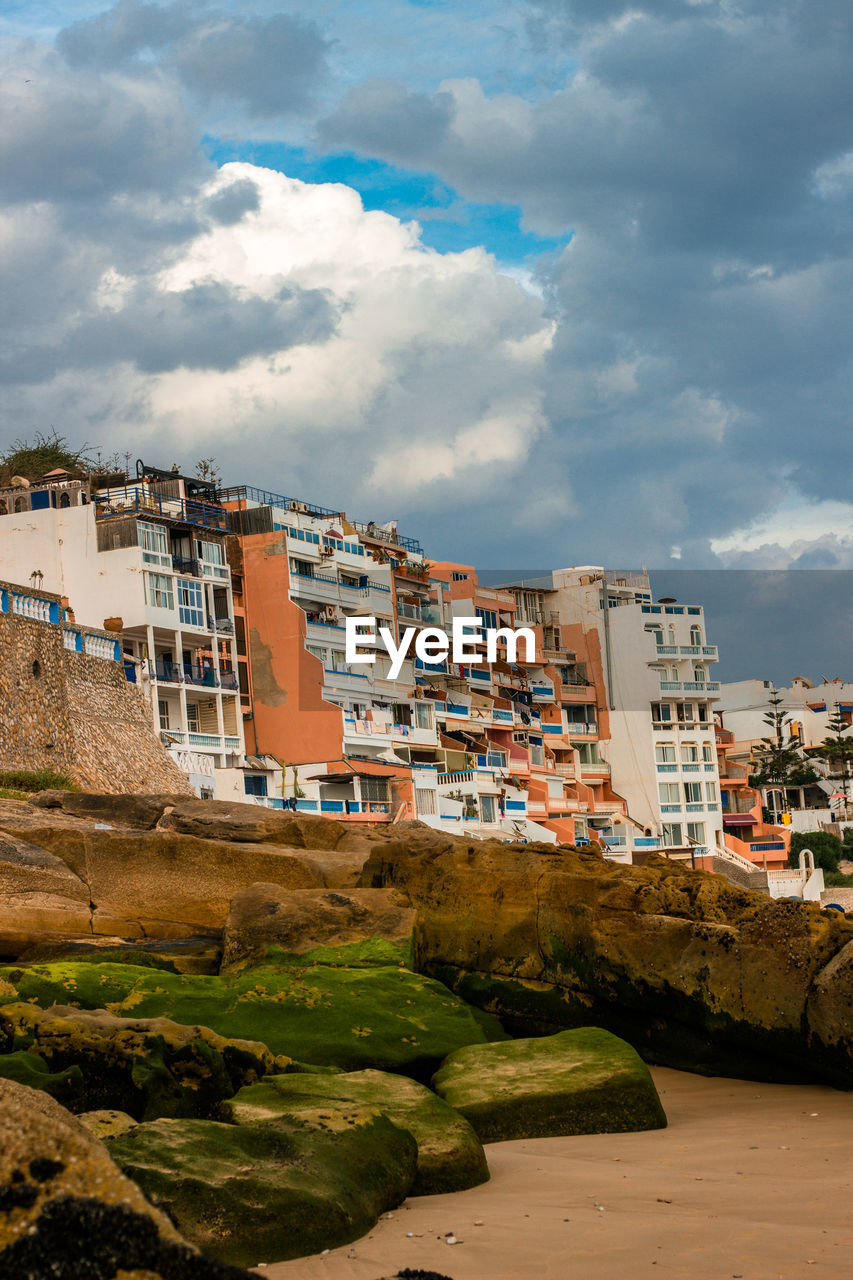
point(77, 865)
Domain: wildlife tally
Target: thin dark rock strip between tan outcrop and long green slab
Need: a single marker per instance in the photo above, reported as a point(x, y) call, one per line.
point(202, 954)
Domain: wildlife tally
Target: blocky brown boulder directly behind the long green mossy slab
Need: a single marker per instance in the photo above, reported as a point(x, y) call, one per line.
point(303, 921)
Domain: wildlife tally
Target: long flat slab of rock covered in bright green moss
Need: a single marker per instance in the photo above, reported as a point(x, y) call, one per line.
point(380, 1017)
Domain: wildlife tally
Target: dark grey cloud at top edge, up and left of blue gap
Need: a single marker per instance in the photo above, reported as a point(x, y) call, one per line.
point(268, 65)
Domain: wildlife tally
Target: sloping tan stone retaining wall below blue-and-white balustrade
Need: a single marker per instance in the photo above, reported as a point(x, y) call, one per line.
point(76, 715)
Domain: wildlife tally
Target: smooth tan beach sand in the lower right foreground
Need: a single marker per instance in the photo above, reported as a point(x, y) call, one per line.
point(749, 1181)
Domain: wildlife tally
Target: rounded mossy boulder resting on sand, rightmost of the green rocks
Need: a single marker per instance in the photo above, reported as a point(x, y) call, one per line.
point(582, 1081)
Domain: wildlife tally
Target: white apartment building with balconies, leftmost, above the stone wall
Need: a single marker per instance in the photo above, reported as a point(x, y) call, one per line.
point(145, 560)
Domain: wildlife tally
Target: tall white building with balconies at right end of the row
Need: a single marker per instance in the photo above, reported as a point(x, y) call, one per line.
point(660, 698)
